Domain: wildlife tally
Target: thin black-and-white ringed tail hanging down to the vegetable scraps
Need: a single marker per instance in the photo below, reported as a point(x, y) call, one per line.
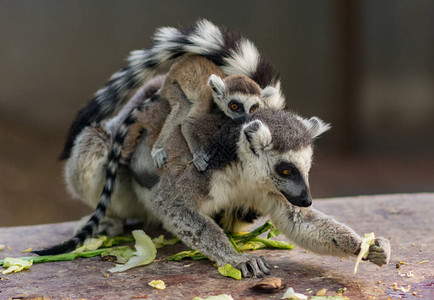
point(112, 168)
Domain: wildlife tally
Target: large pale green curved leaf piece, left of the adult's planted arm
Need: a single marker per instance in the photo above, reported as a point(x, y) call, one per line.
point(144, 255)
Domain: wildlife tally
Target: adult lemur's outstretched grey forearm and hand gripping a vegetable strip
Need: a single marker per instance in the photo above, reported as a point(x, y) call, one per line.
point(322, 234)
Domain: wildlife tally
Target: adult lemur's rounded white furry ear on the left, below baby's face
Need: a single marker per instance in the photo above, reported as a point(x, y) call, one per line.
point(257, 135)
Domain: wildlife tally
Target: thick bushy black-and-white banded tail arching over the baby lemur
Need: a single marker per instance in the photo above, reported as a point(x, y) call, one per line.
point(229, 50)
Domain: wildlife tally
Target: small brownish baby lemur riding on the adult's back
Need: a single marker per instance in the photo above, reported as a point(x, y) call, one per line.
point(192, 87)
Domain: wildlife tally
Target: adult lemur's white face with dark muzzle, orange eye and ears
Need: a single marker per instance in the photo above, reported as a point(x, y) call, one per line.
point(281, 161)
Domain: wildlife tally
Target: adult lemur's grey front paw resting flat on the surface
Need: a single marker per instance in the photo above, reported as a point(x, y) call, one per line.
point(251, 265)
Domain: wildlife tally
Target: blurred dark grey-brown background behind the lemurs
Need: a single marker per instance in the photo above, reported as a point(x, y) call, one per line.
point(365, 66)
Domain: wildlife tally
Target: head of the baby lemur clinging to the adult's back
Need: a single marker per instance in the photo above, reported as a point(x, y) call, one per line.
point(238, 95)
